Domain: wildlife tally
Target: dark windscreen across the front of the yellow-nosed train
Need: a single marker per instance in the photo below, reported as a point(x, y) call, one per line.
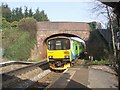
point(59, 44)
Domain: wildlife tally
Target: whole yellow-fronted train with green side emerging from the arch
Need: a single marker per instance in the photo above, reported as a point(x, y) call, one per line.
point(62, 51)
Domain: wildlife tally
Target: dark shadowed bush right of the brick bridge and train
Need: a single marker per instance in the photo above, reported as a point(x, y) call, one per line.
point(97, 46)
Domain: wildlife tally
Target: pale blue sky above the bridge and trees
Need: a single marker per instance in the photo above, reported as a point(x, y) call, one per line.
point(62, 10)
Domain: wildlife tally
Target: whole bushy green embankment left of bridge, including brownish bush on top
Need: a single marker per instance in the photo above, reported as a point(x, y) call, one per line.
point(19, 40)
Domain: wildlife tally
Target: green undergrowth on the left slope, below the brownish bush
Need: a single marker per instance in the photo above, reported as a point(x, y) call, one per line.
point(17, 44)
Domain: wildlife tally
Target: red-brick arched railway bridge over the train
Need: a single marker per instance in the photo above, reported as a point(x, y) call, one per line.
point(48, 29)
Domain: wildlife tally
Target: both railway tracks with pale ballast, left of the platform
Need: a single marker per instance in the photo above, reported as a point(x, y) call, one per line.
point(37, 75)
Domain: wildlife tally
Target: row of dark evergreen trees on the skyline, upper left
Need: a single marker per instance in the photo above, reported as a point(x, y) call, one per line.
point(17, 14)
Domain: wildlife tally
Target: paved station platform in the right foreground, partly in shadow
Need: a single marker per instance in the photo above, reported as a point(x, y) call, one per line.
point(87, 78)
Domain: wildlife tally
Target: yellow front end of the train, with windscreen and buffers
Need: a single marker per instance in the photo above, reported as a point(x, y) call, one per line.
point(58, 53)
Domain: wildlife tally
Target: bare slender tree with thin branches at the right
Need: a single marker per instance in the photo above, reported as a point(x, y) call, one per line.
point(102, 9)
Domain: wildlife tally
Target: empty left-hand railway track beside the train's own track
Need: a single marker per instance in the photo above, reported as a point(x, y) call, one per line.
point(13, 78)
